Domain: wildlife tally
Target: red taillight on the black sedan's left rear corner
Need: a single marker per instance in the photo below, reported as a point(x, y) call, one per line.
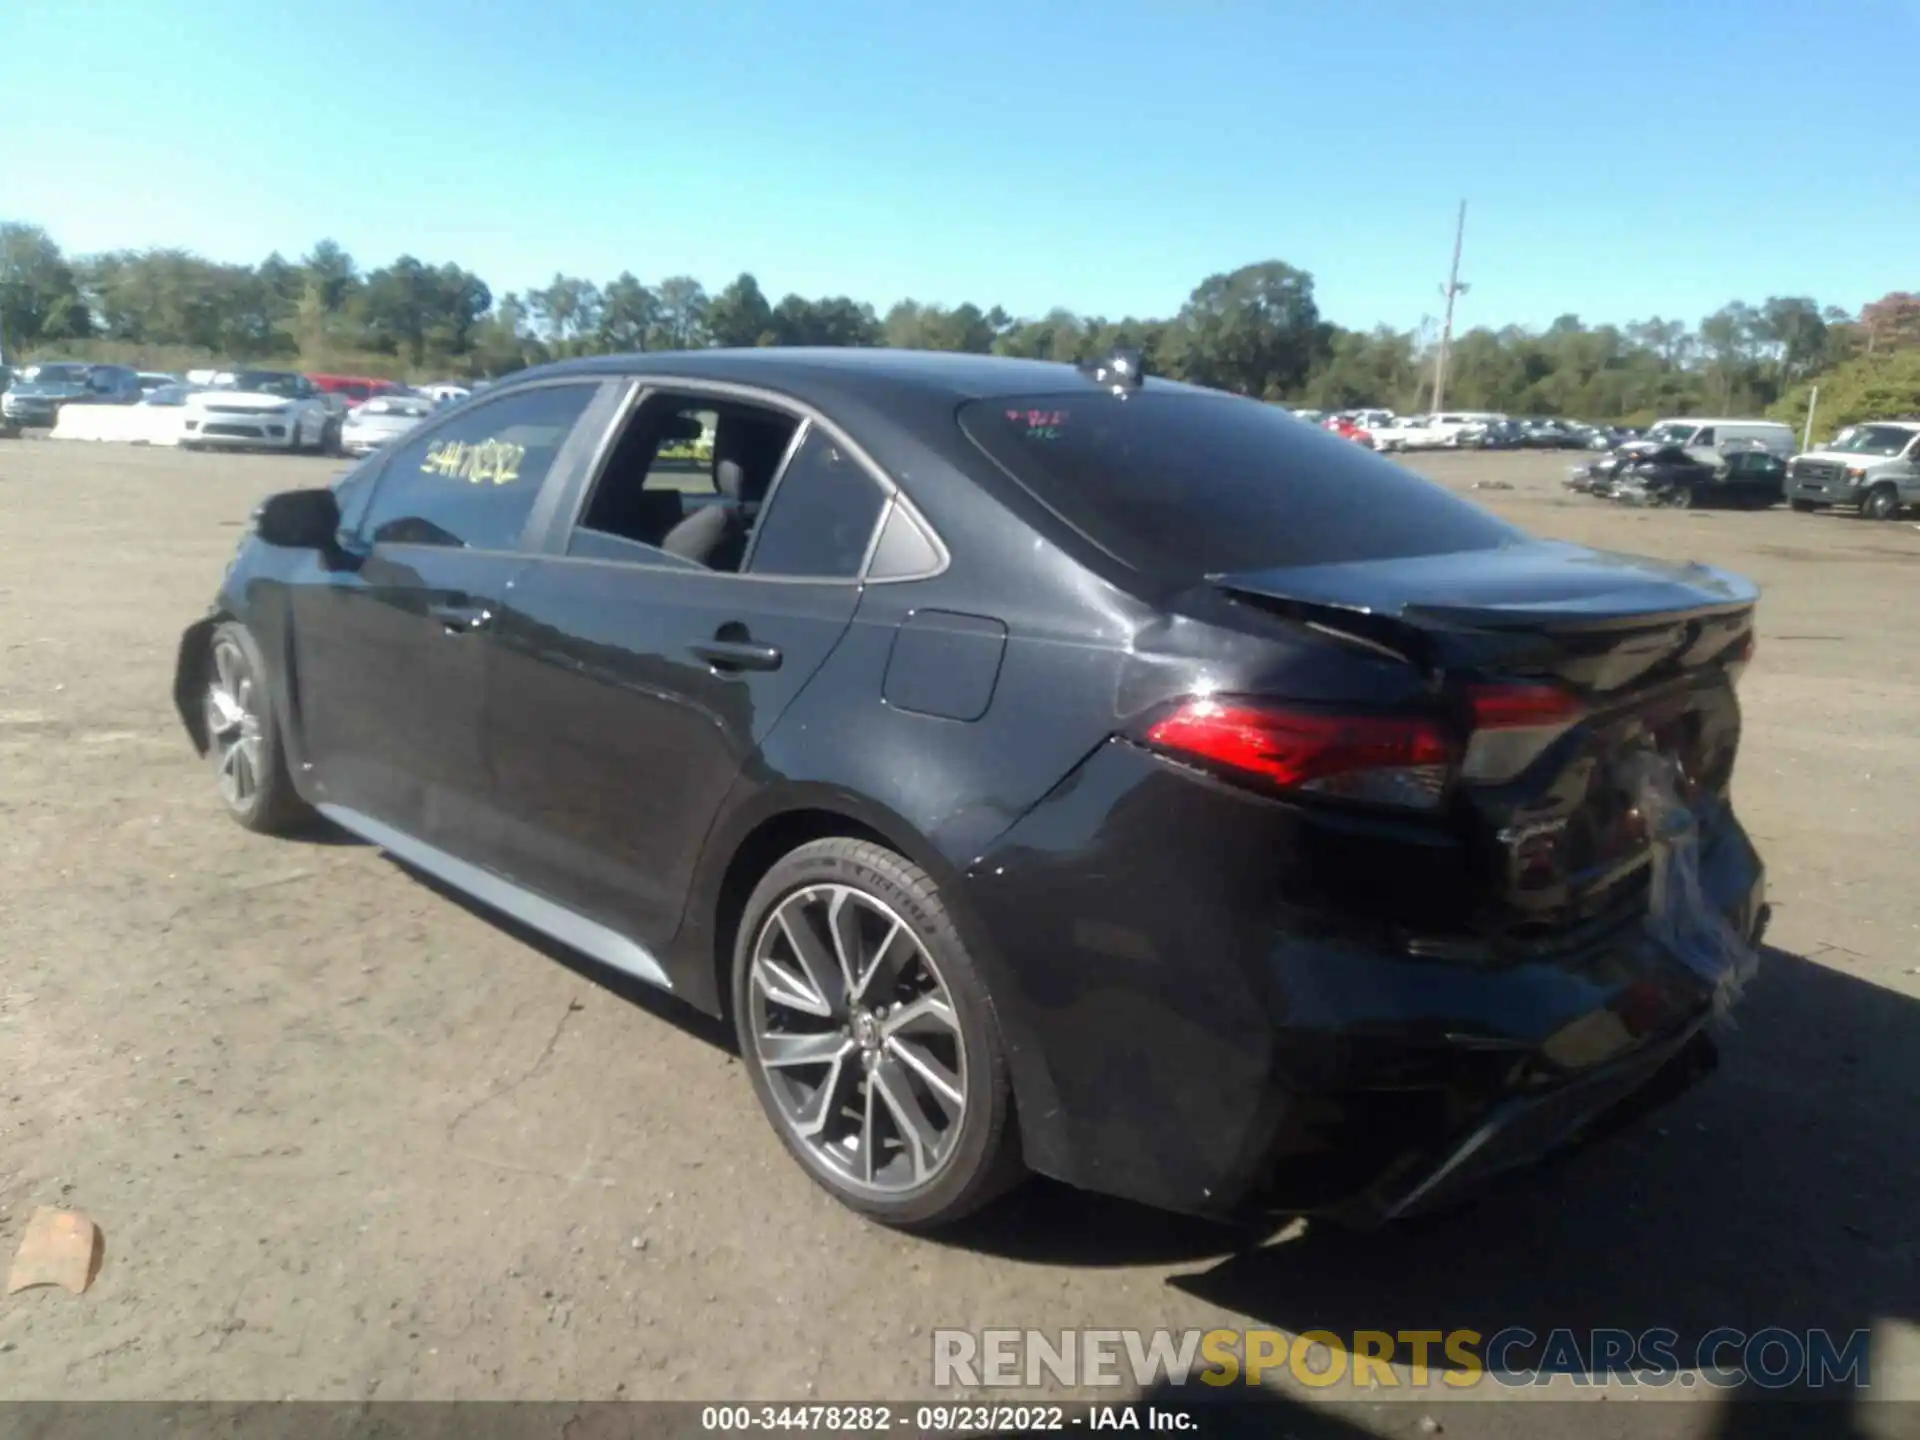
point(1401, 761)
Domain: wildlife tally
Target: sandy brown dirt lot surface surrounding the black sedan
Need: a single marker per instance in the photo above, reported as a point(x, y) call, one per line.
point(352, 1140)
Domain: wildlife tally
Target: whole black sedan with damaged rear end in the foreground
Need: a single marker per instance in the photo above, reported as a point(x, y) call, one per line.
point(1044, 769)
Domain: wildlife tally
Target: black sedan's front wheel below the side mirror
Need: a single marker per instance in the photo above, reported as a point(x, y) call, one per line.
point(245, 736)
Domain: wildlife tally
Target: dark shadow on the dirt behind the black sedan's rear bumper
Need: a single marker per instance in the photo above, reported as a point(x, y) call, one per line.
point(1779, 1193)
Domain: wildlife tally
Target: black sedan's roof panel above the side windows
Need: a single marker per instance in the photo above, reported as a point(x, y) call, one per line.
point(850, 370)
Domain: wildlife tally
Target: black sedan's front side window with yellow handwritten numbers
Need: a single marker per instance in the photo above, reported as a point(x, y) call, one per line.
point(473, 481)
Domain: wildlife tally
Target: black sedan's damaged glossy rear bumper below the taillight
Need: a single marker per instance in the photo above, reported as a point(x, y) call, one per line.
point(1207, 1045)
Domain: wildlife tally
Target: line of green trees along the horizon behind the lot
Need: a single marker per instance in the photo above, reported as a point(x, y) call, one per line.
point(1255, 331)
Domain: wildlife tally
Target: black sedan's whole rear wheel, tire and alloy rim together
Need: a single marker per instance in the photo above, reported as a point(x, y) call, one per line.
point(871, 1040)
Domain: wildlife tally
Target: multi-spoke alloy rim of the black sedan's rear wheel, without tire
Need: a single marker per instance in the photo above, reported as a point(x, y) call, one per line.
point(855, 1032)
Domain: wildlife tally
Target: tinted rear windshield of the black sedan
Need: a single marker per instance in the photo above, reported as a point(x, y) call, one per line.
point(1184, 487)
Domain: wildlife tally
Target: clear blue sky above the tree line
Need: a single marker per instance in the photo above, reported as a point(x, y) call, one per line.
point(1621, 158)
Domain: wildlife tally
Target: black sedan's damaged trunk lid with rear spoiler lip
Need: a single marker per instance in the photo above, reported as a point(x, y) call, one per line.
point(1646, 656)
